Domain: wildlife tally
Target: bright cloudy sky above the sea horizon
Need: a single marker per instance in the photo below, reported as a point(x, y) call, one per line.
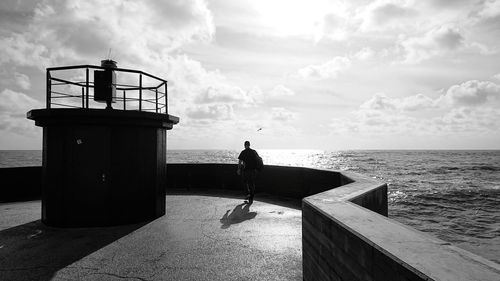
point(313, 74)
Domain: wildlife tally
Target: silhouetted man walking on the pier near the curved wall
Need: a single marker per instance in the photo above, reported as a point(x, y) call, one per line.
point(247, 168)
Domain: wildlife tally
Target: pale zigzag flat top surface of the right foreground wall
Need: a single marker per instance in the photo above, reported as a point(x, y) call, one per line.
point(421, 253)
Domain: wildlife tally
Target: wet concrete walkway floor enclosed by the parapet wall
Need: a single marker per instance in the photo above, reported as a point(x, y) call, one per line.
point(204, 236)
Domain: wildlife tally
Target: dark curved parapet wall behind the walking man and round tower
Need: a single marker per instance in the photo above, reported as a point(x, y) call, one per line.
point(294, 182)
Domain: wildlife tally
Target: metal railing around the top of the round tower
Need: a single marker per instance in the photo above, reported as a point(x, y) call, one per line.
point(78, 91)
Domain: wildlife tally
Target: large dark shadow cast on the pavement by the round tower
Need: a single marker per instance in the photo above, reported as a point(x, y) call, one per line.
point(34, 251)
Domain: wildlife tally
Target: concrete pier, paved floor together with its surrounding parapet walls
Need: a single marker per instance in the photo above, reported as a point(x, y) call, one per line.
point(345, 234)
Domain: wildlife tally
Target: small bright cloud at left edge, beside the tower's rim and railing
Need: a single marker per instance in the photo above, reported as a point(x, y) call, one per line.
point(13, 109)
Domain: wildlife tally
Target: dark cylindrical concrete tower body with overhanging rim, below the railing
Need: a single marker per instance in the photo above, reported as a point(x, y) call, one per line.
point(102, 167)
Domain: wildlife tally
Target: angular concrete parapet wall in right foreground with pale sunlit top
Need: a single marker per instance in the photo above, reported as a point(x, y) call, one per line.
point(347, 236)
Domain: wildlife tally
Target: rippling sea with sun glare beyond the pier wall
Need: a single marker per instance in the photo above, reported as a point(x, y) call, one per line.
point(451, 194)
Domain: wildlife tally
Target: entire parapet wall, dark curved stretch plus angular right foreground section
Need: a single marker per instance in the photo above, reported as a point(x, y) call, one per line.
point(345, 232)
